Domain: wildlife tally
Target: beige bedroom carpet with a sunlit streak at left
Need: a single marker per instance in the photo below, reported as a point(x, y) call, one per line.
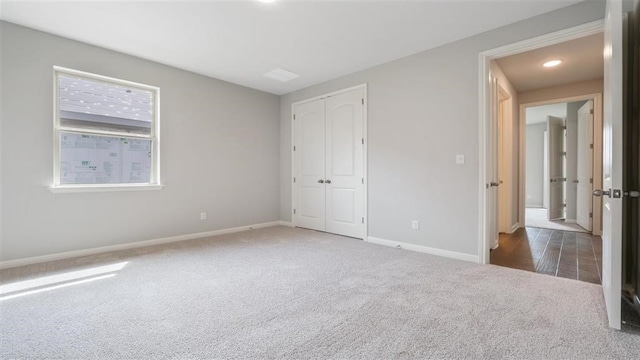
point(297, 294)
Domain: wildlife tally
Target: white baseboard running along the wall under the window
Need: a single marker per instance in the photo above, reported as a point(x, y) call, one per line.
point(133, 245)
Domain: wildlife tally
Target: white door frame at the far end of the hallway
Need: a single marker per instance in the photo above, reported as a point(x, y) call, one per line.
point(596, 161)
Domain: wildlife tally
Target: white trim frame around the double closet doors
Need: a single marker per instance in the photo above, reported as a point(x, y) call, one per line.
point(365, 150)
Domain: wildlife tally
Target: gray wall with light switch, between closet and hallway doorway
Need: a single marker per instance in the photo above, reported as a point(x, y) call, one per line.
point(423, 110)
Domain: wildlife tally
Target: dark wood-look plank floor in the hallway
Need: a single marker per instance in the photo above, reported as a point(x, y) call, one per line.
point(565, 254)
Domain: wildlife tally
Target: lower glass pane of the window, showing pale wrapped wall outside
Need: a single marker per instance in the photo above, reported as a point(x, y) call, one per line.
point(92, 159)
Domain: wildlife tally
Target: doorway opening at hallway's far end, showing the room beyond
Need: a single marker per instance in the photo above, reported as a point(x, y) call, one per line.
point(561, 170)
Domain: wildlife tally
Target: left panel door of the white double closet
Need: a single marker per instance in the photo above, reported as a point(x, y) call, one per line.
point(309, 162)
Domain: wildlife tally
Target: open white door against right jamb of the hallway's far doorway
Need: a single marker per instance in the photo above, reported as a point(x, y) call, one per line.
point(585, 159)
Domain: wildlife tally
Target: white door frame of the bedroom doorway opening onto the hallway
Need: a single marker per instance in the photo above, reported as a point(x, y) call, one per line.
point(484, 62)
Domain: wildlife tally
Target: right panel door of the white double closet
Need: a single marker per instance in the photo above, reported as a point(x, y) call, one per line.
point(345, 164)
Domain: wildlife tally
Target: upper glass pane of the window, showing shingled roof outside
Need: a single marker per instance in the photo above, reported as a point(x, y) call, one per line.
point(95, 105)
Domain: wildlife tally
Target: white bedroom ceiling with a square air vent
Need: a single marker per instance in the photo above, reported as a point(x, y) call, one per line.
point(239, 41)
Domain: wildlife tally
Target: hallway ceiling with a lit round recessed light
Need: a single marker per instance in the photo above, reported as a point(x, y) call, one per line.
point(582, 60)
